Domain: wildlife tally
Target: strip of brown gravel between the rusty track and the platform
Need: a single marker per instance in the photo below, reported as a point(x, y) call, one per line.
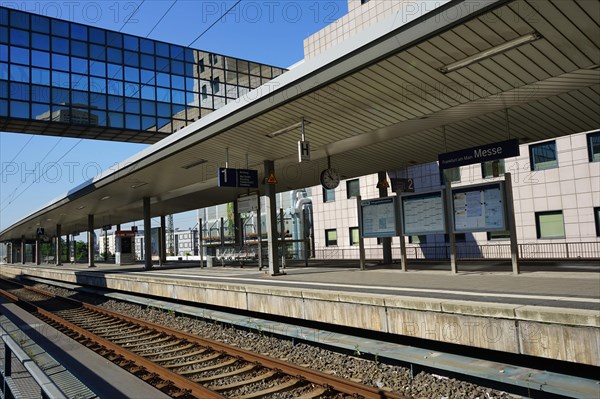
point(377, 374)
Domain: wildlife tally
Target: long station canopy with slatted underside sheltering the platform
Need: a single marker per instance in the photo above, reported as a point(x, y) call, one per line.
point(392, 96)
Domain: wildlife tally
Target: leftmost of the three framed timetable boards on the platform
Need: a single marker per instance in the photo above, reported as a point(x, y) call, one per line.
point(379, 217)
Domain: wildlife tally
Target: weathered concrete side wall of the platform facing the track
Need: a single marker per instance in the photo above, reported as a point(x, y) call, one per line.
point(562, 334)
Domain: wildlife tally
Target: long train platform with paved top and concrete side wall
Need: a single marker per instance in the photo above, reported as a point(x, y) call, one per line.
point(550, 310)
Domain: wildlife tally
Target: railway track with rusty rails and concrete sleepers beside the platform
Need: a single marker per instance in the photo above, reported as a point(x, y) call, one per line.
point(180, 364)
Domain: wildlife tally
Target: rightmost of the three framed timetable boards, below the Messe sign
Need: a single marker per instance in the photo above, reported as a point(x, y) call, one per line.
point(479, 208)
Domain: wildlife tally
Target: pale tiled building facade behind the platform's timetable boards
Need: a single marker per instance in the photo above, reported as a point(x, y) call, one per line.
point(571, 188)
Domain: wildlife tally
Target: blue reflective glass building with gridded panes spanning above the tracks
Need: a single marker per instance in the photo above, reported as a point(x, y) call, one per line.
point(68, 79)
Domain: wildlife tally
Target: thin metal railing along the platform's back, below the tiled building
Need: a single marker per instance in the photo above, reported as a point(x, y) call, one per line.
point(472, 251)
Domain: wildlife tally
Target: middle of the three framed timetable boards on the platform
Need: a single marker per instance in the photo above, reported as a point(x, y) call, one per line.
point(423, 213)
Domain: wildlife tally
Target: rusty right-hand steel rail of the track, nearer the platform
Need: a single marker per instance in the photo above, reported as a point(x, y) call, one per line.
point(309, 375)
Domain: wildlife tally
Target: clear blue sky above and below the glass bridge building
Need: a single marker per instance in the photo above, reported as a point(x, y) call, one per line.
point(38, 169)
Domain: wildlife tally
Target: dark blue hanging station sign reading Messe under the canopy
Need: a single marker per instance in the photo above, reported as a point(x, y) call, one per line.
point(479, 154)
